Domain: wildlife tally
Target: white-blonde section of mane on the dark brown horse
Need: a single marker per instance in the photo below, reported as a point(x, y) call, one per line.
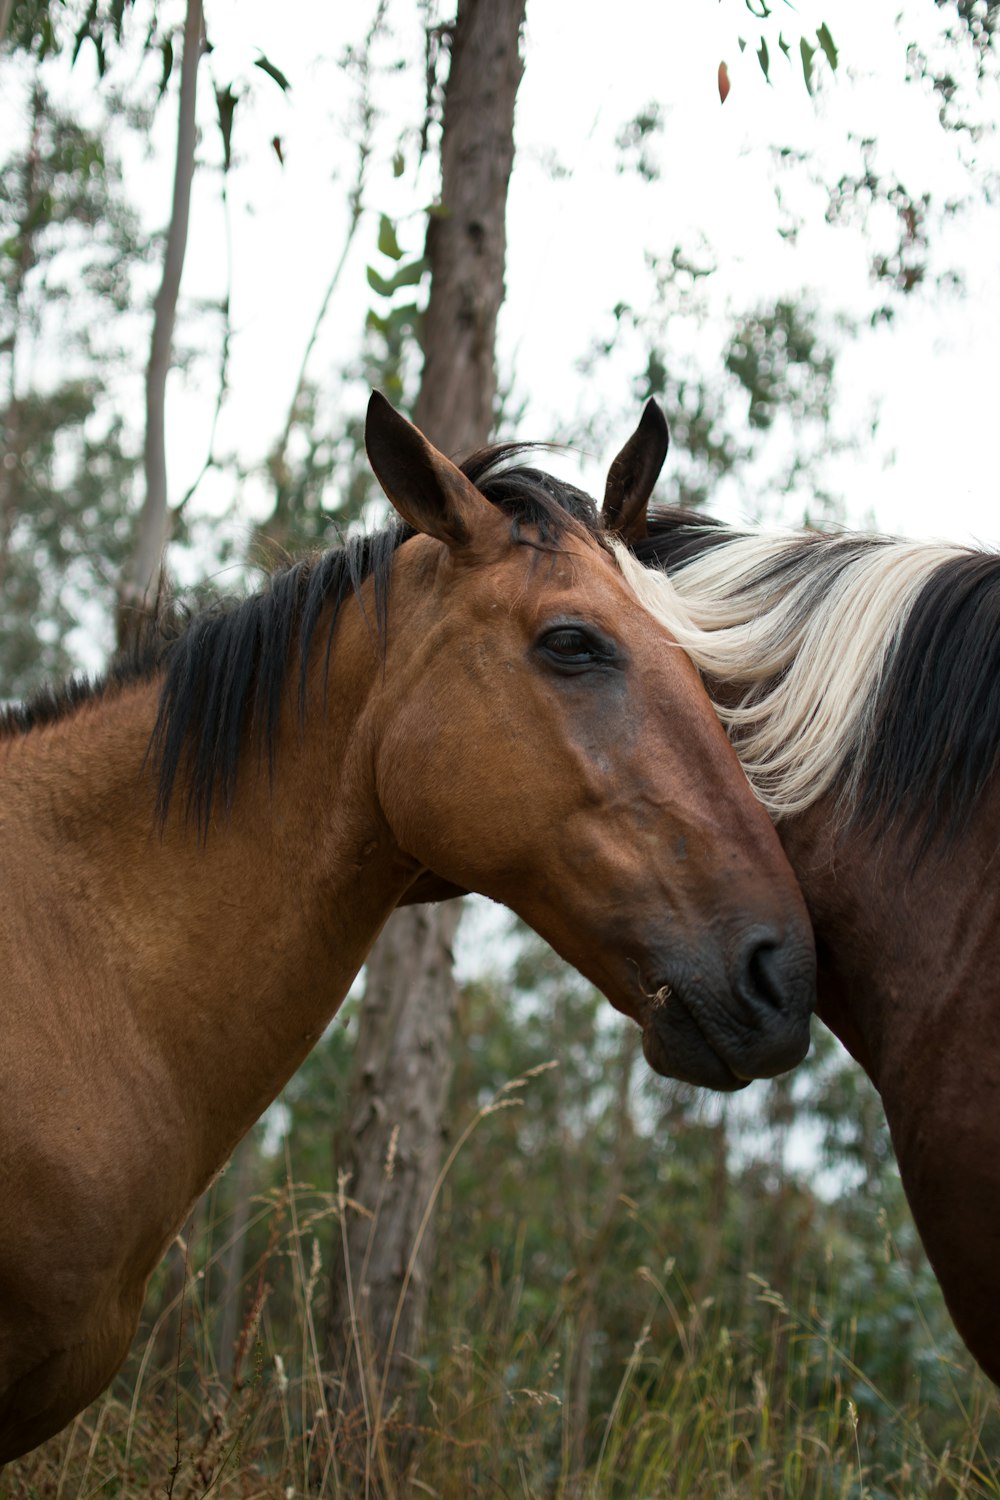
point(794, 635)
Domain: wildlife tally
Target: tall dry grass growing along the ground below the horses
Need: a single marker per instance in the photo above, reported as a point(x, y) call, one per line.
point(702, 1411)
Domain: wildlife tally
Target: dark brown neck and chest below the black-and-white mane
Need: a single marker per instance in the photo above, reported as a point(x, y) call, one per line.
point(909, 979)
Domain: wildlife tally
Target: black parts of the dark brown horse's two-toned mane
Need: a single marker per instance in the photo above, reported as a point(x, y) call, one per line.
point(935, 743)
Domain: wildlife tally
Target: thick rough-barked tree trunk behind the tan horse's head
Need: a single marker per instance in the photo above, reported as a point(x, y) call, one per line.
point(403, 1067)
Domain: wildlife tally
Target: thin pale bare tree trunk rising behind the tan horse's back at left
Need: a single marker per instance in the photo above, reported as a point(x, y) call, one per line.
point(140, 583)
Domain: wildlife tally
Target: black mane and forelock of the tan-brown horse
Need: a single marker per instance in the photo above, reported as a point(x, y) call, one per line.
point(226, 668)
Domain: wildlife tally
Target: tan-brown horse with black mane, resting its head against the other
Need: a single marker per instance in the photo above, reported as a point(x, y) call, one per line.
point(179, 926)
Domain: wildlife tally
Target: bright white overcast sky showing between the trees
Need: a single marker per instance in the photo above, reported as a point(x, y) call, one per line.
point(581, 232)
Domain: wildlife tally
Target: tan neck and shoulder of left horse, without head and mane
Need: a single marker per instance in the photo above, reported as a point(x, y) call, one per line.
point(167, 994)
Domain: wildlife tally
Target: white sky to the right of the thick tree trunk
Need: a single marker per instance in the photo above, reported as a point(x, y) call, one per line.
point(933, 467)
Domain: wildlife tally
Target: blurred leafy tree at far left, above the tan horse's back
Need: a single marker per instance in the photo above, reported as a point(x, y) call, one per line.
point(71, 242)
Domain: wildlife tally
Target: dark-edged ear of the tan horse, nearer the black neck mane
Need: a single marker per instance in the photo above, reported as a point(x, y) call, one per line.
point(427, 488)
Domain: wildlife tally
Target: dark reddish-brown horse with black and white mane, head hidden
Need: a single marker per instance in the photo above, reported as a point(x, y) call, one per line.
point(860, 679)
